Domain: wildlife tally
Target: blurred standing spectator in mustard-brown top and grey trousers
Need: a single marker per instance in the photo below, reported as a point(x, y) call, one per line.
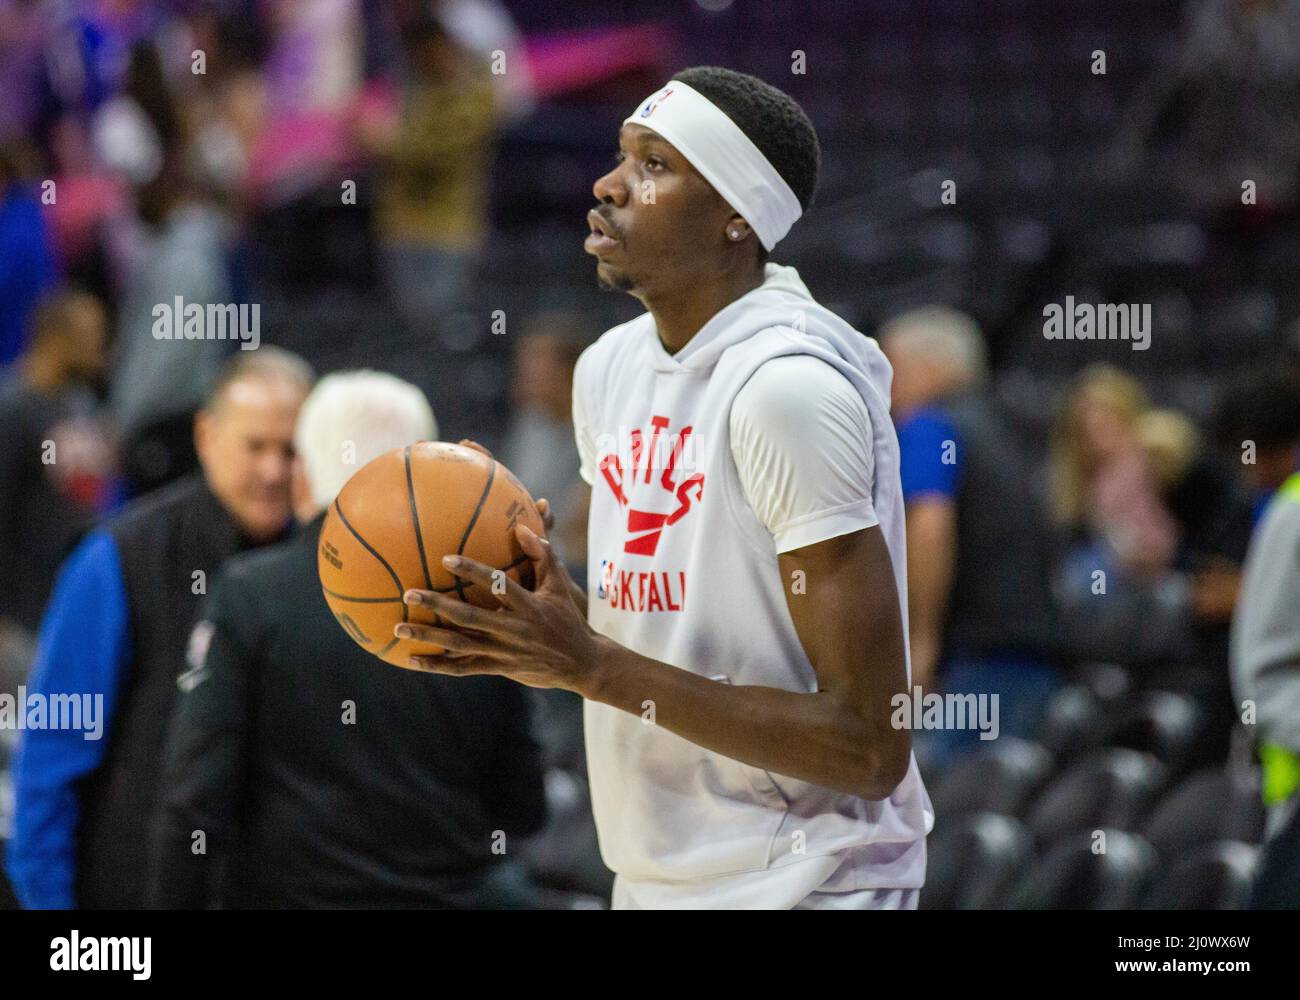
point(435, 162)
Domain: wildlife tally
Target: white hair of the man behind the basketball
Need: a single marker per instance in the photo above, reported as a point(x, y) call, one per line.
point(353, 418)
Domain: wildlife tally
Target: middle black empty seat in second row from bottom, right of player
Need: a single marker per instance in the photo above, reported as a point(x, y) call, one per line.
point(1115, 787)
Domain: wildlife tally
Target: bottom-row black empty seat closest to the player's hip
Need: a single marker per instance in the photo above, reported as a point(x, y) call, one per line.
point(974, 862)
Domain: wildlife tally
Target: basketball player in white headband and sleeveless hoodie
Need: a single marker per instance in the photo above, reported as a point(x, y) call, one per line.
point(746, 633)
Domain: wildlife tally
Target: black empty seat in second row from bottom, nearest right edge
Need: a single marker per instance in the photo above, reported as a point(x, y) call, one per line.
point(1214, 804)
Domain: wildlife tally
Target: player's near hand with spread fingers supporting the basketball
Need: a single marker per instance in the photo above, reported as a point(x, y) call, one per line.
point(538, 638)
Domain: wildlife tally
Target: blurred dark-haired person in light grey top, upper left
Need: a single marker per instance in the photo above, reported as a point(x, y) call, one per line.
point(177, 250)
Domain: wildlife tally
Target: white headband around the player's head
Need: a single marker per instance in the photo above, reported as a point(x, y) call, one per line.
point(725, 157)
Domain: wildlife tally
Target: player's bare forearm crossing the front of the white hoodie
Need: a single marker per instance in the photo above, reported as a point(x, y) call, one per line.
point(813, 738)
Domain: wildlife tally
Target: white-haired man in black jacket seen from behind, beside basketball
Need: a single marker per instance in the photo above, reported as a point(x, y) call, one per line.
point(311, 774)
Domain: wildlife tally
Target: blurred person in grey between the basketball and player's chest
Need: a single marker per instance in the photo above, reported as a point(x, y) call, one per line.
point(540, 447)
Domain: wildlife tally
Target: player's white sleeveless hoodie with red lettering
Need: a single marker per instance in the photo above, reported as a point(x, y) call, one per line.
point(682, 570)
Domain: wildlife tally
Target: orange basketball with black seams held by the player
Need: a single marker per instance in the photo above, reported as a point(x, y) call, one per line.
point(396, 520)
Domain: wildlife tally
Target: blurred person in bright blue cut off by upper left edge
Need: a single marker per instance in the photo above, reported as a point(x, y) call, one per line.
point(28, 267)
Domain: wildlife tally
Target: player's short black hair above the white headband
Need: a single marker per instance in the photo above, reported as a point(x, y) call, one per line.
point(770, 118)
